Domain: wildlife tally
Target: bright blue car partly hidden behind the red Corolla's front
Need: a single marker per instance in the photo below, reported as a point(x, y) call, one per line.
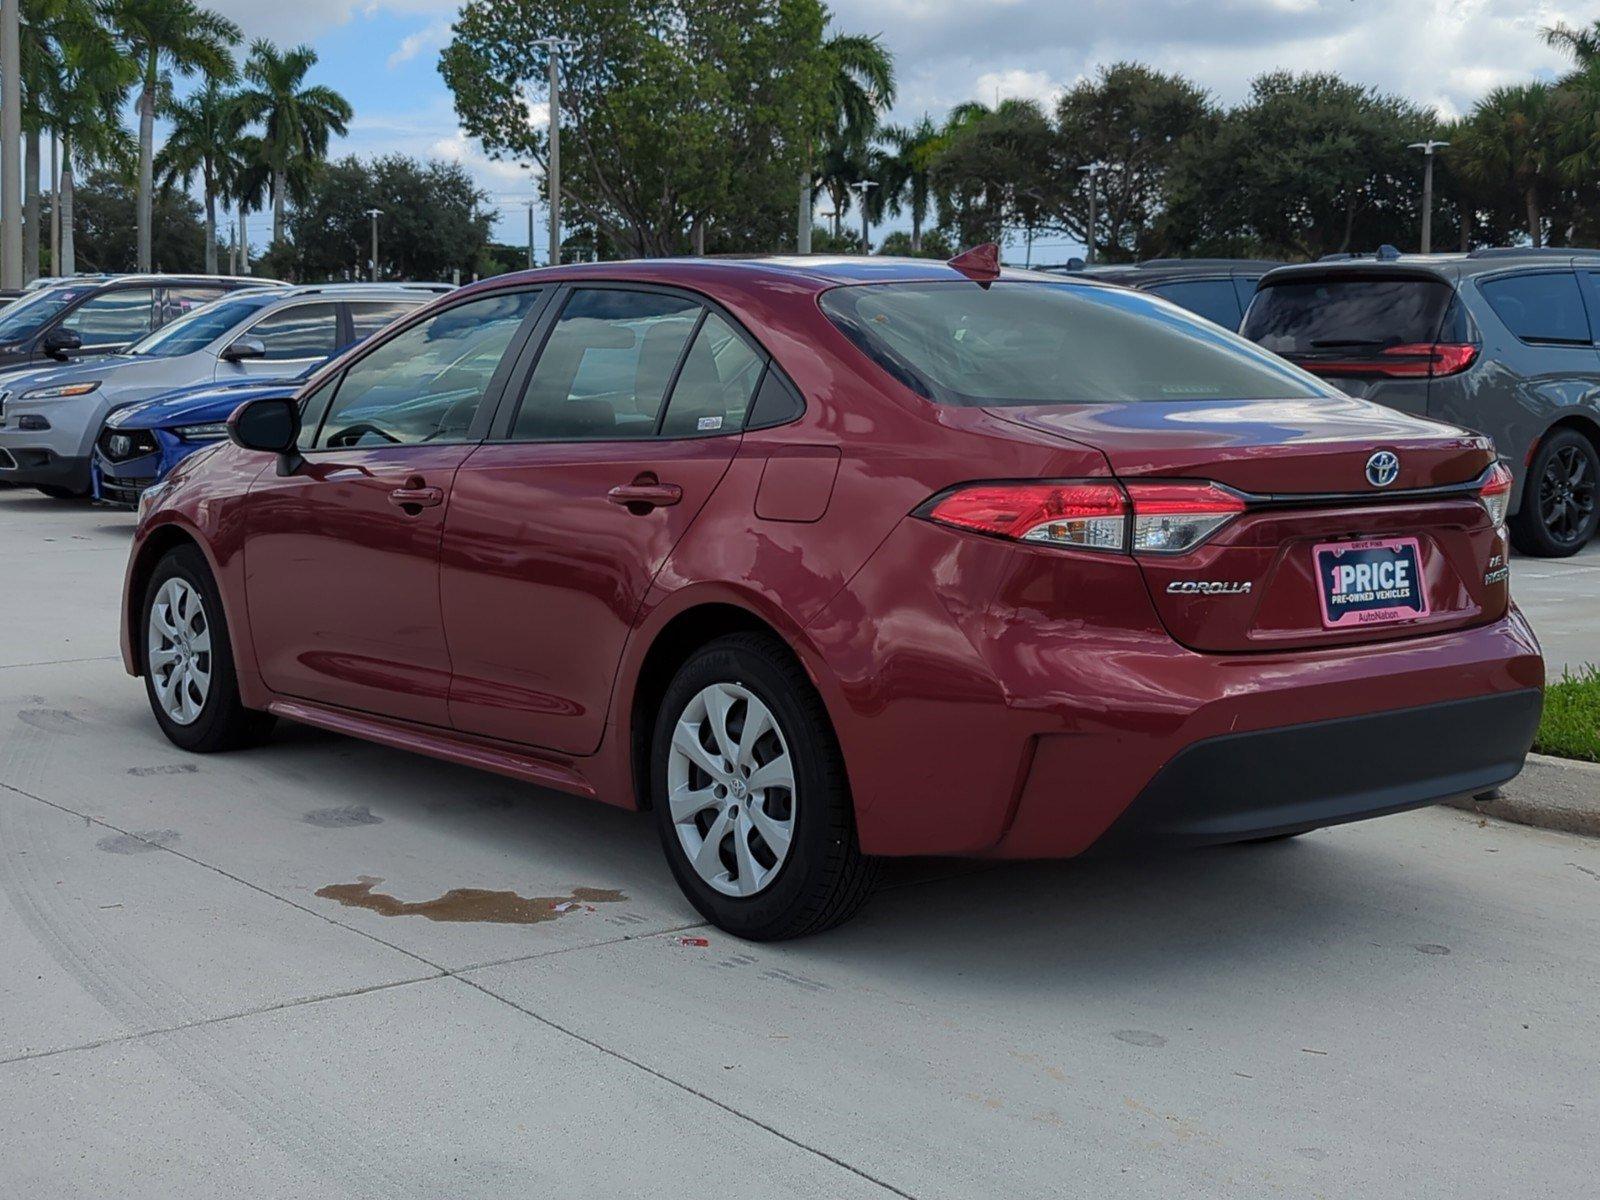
point(143, 442)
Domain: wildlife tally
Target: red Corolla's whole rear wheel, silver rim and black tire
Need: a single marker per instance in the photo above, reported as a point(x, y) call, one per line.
point(751, 796)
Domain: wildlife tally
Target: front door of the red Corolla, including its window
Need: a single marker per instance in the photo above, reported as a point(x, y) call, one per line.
point(343, 556)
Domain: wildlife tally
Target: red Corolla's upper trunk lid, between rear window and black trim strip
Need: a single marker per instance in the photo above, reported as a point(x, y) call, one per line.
point(1265, 447)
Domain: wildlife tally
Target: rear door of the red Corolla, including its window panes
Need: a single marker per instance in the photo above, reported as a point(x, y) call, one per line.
point(558, 527)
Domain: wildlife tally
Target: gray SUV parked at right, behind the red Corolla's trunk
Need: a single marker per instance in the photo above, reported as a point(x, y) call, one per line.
point(1502, 342)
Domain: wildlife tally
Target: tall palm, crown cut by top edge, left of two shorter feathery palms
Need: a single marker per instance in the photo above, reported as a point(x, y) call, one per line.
point(167, 36)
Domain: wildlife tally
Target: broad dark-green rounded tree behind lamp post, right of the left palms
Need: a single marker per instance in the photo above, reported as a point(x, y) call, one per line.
point(434, 222)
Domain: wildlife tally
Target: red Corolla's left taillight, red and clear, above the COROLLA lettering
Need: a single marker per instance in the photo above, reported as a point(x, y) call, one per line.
point(1090, 516)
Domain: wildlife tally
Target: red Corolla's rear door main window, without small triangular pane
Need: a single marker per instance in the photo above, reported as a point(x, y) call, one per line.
point(606, 367)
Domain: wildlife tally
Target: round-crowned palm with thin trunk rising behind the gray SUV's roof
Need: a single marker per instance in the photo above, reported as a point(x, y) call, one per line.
point(1510, 142)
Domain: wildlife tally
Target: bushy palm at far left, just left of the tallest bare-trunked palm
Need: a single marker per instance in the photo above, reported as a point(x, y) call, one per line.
point(81, 100)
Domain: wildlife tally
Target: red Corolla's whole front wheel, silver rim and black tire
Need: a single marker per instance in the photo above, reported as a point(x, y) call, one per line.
point(190, 660)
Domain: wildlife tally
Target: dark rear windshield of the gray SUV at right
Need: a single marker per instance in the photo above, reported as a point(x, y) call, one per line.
point(1346, 316)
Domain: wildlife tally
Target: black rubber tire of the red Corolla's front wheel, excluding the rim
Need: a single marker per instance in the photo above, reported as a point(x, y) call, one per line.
point(223, 722)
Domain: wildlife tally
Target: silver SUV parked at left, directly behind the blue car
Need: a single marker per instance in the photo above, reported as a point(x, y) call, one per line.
point(52, 418)
